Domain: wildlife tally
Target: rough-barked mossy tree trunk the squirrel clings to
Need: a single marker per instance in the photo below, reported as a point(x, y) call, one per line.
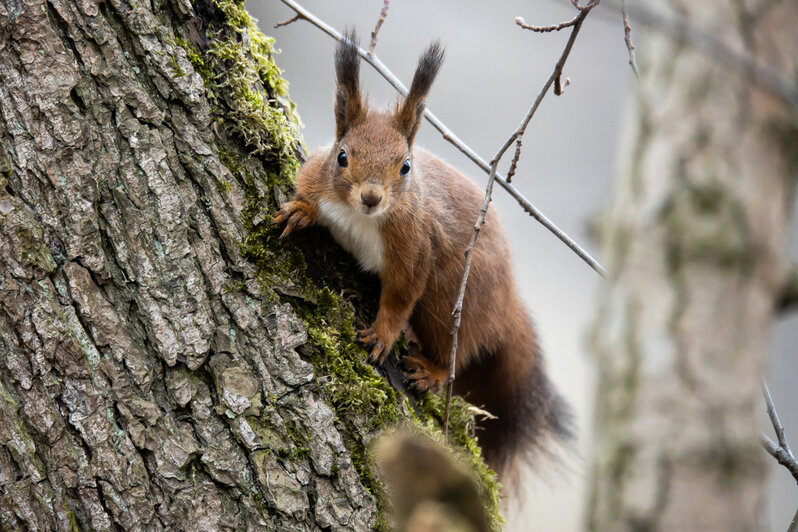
point(166, 361)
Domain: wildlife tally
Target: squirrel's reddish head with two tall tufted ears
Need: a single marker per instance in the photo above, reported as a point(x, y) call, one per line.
point(371, 160)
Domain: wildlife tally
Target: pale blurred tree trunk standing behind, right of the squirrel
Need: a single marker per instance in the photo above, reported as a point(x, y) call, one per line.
point(695, 243)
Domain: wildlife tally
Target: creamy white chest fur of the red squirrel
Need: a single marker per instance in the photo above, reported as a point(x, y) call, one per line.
point(358, 233)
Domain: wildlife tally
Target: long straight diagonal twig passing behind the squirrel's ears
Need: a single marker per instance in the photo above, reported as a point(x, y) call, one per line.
point(450, 137)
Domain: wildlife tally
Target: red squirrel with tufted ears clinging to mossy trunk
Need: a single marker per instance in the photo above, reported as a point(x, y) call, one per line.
point(408, 216)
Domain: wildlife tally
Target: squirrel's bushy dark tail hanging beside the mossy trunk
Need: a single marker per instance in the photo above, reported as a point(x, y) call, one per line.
point(530, 414)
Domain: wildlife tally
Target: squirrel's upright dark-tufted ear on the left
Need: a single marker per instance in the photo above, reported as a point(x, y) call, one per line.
point(349, 107)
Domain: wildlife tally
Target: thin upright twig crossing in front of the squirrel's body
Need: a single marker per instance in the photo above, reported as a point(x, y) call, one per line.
point(515, 137)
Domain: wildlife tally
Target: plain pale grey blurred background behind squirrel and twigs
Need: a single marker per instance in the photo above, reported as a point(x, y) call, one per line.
point(492, 73)
